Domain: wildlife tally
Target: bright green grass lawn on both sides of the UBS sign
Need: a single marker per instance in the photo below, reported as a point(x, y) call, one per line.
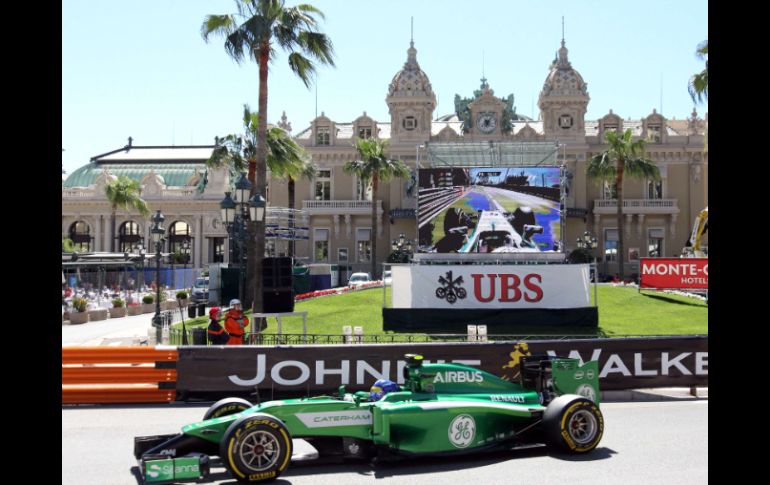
point(622, 311)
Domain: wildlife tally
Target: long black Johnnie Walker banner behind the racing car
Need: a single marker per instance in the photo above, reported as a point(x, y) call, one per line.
point(623, 363)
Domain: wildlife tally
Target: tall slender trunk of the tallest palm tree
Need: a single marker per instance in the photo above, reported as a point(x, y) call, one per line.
point(261, 175)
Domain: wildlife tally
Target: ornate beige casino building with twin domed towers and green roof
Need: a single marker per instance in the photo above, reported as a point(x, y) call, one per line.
point(658, 215)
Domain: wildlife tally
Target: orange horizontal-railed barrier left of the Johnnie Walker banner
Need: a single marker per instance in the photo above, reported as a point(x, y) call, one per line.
point(107, 374)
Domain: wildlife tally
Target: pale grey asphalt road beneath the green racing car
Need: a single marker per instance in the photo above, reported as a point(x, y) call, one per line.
point(643, 443)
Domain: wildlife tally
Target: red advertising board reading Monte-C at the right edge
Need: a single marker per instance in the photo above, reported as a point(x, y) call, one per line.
point(675, 273)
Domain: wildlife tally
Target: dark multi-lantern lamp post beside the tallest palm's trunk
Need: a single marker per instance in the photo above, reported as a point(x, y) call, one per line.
point(236, 213)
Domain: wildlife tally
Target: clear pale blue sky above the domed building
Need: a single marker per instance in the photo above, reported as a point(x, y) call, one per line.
point(141, 68)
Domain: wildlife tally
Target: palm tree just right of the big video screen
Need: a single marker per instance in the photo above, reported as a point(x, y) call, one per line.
point(622, 157)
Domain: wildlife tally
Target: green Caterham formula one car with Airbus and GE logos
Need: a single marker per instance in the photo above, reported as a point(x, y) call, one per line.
point(441, 409)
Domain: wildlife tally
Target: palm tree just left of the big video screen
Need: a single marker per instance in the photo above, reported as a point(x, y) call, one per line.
point(374, 166)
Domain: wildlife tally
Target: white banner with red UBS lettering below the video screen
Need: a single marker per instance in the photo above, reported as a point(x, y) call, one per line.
point(491, 286)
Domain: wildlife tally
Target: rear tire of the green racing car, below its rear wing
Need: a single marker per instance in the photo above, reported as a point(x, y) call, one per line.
point(573, 424)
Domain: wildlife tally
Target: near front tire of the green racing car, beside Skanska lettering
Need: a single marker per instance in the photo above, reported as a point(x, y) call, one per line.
point(256, 448)
